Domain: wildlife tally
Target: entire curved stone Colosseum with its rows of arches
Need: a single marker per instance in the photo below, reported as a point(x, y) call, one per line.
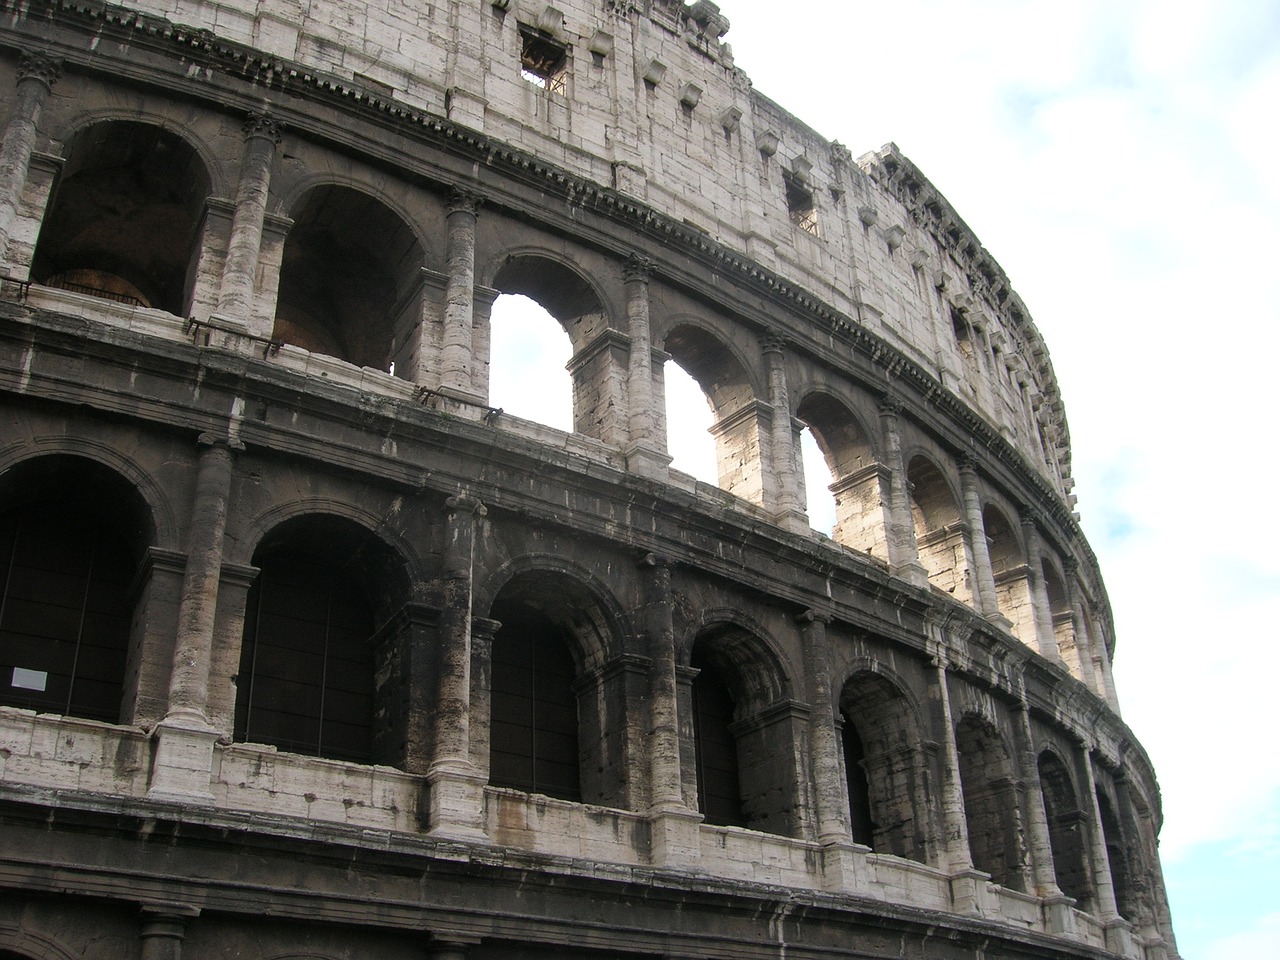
point(579, 705)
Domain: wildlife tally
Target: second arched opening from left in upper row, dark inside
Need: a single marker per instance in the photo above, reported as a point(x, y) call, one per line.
point(350, 281)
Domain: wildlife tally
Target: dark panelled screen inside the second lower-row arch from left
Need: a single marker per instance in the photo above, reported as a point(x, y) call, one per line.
point(307, 676)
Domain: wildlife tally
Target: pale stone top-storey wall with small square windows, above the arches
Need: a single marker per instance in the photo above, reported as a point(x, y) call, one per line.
point(644, 99)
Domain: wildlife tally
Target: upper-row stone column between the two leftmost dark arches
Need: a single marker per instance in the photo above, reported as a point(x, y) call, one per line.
point(236, 294)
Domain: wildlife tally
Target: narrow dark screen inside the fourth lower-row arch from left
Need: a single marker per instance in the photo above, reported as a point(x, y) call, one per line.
point(716, 749)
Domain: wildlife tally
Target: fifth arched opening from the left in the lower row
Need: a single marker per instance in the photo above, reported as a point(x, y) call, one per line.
point(884, 767)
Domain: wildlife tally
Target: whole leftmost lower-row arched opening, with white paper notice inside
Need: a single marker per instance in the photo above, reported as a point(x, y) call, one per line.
point(71, 545)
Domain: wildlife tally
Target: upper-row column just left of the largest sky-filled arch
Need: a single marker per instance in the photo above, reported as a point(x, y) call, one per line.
point(456, 348)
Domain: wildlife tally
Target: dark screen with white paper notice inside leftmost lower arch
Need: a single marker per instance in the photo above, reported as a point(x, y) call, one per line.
point(65, 612)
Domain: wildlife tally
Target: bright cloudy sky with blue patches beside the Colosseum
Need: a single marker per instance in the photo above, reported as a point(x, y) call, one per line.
point(1119, 161)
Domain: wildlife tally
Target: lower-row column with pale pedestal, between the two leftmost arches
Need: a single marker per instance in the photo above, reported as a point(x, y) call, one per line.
point(184, 758)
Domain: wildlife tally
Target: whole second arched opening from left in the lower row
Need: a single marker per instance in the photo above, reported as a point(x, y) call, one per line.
point(308, 679)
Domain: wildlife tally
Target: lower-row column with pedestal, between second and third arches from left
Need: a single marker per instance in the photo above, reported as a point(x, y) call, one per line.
point(455, 787)
